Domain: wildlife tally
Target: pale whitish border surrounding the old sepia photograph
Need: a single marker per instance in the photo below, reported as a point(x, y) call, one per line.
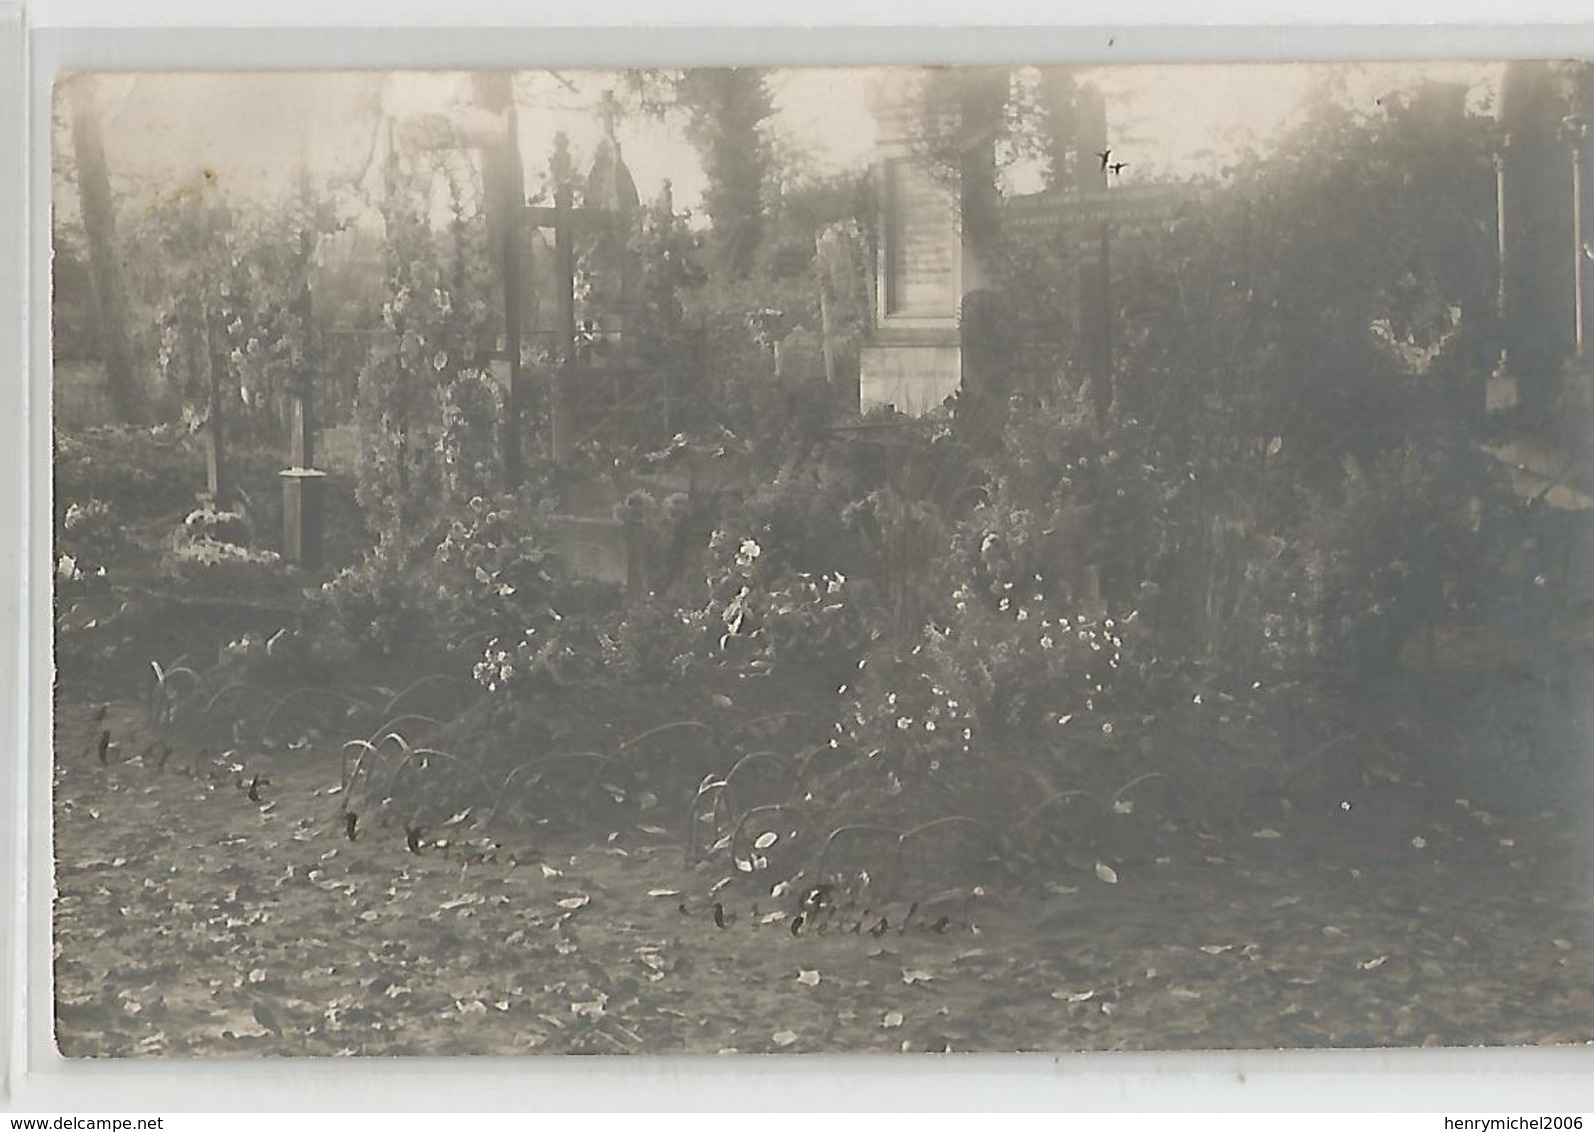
point(103, 34)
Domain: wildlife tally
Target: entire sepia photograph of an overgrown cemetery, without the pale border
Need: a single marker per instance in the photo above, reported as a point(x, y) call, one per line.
point(823, 560)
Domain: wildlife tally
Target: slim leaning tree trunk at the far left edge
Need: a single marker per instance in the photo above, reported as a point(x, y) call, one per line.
point(100, 224)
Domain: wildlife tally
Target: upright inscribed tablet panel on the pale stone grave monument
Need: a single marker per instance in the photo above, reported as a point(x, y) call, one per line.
point(922, 245)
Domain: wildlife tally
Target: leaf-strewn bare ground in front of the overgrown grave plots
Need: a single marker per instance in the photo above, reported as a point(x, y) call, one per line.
point(203, 913)
